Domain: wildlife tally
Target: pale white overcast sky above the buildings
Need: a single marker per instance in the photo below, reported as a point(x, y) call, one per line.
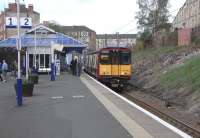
point(103, 16)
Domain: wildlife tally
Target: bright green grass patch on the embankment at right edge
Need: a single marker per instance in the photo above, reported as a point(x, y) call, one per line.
point(186, 75)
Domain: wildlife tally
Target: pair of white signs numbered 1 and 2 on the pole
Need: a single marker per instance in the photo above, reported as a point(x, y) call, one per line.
point(25, 22)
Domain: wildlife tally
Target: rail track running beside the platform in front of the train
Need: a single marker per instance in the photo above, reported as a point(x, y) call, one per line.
point(195, 133)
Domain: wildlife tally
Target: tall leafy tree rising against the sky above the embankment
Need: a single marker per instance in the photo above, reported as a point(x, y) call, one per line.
point(152, 15)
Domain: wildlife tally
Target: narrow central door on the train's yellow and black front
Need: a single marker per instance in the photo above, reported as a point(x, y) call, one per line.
point(114, 54)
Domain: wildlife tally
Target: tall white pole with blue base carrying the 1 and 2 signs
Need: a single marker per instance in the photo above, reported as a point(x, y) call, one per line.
point(19, 80)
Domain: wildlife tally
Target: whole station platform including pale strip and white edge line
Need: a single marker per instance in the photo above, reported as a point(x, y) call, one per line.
point(73, 107)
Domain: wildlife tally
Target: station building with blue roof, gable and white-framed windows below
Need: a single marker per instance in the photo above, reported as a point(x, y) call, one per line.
point(38, 43)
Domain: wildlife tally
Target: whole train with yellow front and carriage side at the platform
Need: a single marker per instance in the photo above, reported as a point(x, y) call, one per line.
point(110, 65)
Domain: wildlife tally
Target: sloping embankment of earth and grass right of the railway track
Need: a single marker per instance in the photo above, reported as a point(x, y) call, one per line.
point(170, 74)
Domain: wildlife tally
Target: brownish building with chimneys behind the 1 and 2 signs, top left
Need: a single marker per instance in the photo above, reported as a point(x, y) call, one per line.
point(30, 16)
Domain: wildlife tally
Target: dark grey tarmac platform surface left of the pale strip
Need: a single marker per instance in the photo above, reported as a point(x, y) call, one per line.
point(76, 114)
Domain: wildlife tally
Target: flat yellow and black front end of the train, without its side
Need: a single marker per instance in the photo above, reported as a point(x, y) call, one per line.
point(115, 66)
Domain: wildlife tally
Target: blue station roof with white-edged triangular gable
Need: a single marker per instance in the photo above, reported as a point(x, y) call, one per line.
point(43, 36)
